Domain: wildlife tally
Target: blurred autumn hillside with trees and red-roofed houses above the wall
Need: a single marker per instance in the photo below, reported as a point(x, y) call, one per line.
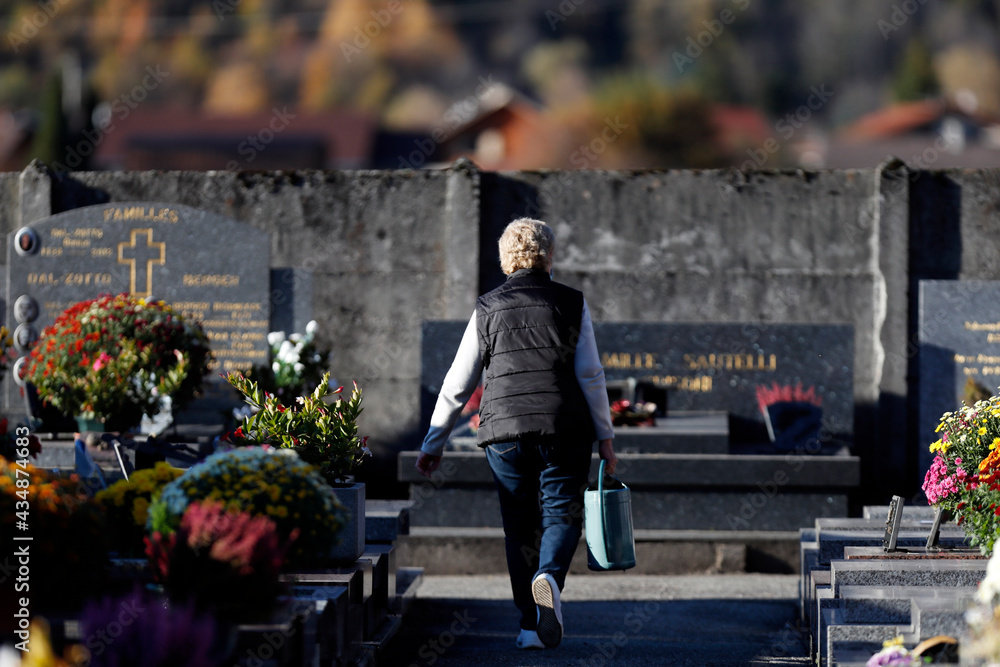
point(525, 84)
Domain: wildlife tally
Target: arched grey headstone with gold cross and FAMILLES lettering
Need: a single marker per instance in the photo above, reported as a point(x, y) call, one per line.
point(210, 268)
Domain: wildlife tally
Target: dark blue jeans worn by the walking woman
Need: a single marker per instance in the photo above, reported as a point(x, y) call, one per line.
point(541, 484)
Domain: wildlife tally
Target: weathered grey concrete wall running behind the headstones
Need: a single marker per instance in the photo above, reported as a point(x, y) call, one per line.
point(390, 249)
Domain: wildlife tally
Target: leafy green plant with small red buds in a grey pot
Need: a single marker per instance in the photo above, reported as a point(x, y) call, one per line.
point(321, 433)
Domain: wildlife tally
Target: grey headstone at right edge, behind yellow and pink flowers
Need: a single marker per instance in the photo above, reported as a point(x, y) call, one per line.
point(959, 337)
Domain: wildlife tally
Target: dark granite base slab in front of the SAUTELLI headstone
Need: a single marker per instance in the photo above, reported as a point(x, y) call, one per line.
point(669, 491)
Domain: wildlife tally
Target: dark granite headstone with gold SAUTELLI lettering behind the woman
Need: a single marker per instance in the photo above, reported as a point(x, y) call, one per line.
point(702, 367)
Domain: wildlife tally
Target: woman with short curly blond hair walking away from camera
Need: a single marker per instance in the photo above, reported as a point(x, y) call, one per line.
point(544, 404)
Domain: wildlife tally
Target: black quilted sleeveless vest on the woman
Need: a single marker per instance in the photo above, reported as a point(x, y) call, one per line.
point(528, 330)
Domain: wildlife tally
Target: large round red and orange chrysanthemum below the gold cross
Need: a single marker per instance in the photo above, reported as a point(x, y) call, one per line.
point(115, 358)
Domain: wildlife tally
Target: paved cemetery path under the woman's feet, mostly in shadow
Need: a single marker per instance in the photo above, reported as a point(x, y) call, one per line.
point(611, 619)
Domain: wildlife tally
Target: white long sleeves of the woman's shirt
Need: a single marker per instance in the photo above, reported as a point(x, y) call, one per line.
point(463, 378)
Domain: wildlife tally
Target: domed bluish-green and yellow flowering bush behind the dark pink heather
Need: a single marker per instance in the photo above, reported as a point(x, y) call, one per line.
point(275, 484)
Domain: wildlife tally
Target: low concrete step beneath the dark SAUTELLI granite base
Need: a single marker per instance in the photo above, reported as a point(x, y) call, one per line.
point(481, 551)
